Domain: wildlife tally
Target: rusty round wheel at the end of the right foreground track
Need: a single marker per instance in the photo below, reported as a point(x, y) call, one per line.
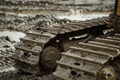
point(107, 73)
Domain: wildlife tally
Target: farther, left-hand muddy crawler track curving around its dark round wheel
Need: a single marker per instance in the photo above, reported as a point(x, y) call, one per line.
point(38, 44)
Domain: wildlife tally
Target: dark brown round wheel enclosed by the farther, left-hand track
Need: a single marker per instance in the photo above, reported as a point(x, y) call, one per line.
point(49, 56)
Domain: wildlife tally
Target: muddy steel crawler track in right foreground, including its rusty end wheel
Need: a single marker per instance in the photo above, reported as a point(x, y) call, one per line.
point(91, 60)
